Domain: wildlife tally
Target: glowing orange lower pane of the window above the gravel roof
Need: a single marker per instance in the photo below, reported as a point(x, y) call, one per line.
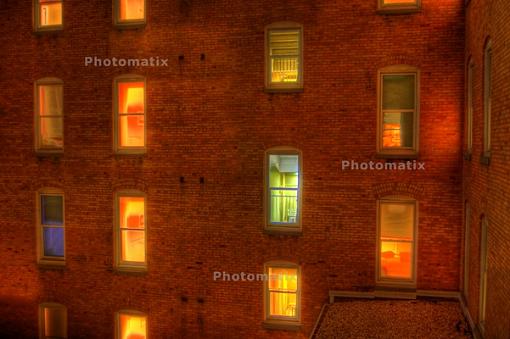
point(396, 259)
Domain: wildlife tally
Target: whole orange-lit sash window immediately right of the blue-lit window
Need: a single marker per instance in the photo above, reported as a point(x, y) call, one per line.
point(131, 231)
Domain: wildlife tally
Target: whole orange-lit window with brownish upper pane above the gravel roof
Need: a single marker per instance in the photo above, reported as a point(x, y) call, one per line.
point(396, 239)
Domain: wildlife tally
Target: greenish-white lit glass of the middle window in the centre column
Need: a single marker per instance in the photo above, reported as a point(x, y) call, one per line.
point(284, 185)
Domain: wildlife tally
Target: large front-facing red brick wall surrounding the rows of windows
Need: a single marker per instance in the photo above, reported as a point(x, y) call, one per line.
point(209, 117)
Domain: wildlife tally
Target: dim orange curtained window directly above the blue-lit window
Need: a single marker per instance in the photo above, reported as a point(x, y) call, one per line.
point(49, 115)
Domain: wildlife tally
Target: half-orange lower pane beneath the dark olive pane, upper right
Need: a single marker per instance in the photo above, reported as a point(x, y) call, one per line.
point(398, 129)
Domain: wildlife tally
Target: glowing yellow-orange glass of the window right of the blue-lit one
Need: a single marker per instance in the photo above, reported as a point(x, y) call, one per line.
point(132, 227)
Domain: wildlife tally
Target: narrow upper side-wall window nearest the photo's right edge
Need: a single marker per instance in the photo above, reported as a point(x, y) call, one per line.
point(487, 98)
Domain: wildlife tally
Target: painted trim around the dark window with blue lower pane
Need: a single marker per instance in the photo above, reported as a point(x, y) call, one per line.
point(41, 258)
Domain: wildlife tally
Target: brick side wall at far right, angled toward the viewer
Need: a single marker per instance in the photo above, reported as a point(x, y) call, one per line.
point(487, 187)
